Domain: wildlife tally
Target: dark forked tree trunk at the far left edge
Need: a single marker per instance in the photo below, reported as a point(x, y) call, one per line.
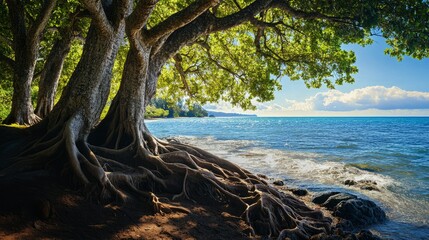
point(26, 33)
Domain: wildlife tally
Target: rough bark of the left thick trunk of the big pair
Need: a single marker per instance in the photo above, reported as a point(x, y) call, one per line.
point(87, 91)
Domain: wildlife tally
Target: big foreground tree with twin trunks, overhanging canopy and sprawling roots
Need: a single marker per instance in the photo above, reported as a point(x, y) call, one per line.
point(212, 50)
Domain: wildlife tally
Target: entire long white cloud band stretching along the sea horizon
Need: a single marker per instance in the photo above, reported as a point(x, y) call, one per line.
point(368, 101)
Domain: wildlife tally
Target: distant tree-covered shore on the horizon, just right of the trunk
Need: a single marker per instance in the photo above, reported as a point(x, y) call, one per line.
point(161, 108)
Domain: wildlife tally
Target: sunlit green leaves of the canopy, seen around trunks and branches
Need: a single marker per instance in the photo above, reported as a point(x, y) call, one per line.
point(243, 64)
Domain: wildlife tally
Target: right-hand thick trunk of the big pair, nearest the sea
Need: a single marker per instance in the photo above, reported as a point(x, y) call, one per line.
point(124, 123)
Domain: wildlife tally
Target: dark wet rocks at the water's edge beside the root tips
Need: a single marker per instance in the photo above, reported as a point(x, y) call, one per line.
point(351, 215)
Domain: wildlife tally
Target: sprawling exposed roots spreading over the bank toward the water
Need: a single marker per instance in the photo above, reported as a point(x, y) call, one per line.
point(143, 170)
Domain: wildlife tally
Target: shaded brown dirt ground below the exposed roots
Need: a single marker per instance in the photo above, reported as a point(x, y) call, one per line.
point(43, 209)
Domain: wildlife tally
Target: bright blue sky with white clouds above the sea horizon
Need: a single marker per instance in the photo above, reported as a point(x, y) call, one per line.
point(383, 86)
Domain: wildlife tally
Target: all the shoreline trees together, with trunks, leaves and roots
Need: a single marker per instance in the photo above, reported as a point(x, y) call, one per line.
point(75, 60)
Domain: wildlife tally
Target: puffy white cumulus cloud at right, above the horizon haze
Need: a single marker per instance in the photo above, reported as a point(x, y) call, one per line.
point(373, 97)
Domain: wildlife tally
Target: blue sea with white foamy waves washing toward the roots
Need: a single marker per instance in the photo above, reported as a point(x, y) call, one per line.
point(321, 153)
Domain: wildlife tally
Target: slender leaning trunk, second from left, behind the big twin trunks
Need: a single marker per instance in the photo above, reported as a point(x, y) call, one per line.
point(51, 74)
